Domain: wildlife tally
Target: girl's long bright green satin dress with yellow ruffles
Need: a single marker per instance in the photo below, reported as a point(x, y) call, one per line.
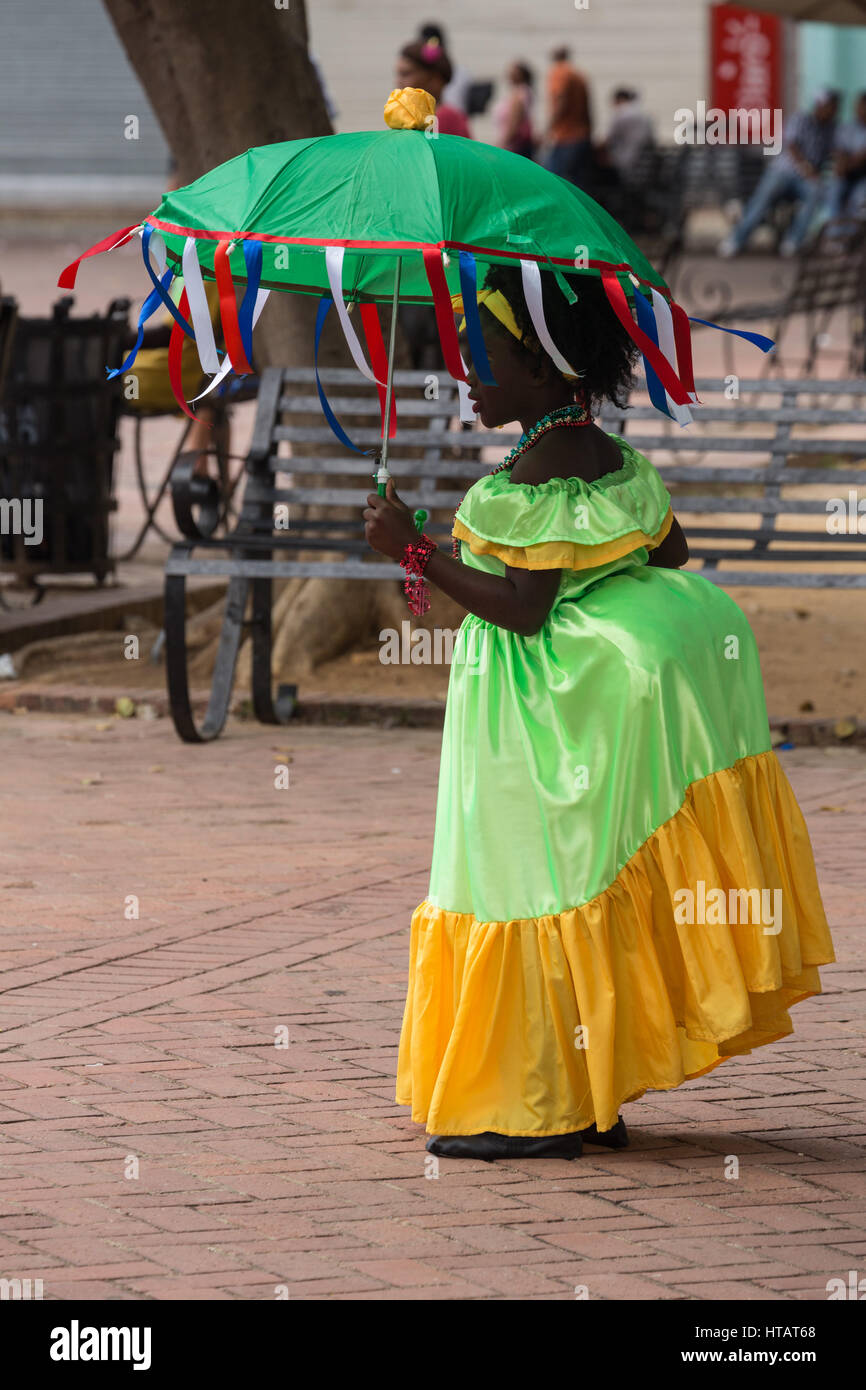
point(622, 892)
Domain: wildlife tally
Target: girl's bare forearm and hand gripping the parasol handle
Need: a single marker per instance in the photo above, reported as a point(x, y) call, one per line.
point(519, 601)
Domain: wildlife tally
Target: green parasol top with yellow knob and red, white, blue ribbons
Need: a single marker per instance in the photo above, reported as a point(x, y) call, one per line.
point(402, 215)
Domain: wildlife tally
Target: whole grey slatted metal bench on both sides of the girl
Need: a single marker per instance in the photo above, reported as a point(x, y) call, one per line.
point(761, 448)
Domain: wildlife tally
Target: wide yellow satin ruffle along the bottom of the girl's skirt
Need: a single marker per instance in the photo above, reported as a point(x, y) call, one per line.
point(548, 1025)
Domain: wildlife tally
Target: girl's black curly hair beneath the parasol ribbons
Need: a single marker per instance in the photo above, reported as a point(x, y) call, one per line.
point(589, 334)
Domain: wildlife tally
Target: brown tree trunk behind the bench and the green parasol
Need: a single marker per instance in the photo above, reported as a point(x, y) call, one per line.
point(219, 87)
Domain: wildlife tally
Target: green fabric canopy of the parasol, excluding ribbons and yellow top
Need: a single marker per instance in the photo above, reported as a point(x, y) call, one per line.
point(384, 195)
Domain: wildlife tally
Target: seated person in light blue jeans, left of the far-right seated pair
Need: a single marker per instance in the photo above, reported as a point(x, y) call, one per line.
point(794, 174)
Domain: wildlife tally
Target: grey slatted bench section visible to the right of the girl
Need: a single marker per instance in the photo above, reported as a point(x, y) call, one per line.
point(751, 483)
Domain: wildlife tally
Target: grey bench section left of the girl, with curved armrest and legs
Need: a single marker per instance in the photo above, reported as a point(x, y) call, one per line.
point(327, 540)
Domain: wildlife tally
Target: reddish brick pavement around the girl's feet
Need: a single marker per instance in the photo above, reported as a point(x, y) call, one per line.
point(158, 1145)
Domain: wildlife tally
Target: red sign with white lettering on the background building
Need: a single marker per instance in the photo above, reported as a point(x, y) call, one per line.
point(746, 59)
